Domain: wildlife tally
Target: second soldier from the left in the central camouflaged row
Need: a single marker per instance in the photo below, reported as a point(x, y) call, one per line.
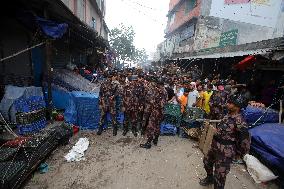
point(131, 105)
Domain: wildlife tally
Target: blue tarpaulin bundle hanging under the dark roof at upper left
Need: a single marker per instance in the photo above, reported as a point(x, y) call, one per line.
point(51, 28)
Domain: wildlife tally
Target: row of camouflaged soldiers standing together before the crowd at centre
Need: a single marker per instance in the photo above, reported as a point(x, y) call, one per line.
point(143, 103)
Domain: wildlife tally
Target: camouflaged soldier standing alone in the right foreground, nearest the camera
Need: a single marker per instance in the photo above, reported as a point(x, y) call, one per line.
point(231, 139)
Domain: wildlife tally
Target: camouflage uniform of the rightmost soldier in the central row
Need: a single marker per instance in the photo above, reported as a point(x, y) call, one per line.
point(156, 116)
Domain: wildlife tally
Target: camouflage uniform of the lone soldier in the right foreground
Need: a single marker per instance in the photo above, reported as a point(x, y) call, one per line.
point(225, 145)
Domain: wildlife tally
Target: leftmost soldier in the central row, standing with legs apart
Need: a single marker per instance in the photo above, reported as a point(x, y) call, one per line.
point(108, 93)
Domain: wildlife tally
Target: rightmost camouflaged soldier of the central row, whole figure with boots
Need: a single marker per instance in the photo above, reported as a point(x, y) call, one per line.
point(156, 116)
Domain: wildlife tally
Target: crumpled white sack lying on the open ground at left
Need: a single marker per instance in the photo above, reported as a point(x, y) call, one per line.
point(77, 151)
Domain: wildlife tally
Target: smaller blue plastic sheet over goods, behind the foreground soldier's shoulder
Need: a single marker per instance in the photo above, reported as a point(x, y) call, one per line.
point(252, 114)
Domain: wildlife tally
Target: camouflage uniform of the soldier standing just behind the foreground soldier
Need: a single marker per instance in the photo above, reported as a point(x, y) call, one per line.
point(217, 103)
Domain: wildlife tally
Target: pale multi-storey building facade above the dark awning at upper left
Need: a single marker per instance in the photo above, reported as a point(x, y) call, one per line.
point(92, 12)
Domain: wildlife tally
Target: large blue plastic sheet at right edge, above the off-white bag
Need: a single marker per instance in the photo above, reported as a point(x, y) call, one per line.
point(268, 144)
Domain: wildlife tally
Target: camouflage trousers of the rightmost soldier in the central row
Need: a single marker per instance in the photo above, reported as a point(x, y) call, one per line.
point(155, 120)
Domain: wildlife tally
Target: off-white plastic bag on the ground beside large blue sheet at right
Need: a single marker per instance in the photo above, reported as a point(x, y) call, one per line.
point(259, 172)
